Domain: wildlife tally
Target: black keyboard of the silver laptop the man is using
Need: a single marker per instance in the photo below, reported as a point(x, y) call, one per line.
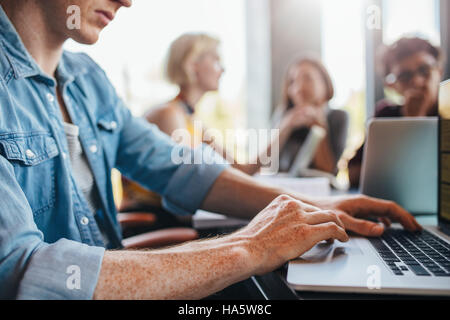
point(422, 253)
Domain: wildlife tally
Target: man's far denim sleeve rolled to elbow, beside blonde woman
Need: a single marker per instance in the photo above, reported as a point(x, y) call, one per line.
point(182, 176)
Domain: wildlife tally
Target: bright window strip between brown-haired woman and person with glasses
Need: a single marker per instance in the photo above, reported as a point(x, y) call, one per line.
point(343, 53)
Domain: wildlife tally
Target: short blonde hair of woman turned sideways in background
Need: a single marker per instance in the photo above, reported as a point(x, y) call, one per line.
point(185, 50)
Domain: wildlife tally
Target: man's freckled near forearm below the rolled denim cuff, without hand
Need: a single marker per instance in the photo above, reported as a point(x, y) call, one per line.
point(189, 271)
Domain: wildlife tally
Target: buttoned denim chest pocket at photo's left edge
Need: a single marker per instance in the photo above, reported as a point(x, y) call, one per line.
point(33, 158)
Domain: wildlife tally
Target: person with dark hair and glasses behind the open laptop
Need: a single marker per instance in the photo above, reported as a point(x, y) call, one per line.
point(413, 68)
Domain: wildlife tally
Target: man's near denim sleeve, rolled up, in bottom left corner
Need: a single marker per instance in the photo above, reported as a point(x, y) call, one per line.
point(31, 268)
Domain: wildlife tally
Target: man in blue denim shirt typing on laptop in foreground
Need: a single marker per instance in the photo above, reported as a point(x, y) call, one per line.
point(62, 130)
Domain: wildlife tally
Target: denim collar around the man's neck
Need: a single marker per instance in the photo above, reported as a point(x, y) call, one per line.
point(23, 63)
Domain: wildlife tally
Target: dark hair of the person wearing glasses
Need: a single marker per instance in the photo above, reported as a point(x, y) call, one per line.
point(404, 48)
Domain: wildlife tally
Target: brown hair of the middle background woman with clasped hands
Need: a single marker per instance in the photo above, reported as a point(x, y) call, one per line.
point(316, 63)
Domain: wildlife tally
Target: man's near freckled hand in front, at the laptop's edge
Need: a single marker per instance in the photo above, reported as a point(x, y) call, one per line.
point(286, 229)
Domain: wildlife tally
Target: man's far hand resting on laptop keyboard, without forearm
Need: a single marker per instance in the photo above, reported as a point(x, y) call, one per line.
point(351, 209)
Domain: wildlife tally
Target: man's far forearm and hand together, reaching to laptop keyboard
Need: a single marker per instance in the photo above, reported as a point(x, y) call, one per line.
point(241, 196)
